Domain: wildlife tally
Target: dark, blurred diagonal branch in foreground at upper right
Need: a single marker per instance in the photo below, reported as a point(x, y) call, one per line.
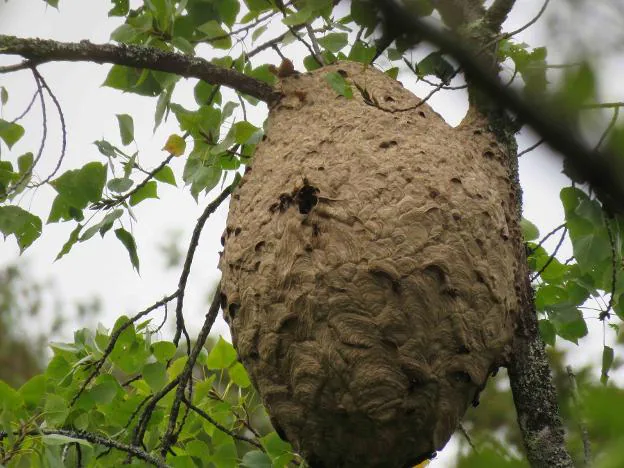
point(597, 167)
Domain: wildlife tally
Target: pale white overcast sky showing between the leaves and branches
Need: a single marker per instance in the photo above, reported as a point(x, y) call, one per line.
point(101, 267)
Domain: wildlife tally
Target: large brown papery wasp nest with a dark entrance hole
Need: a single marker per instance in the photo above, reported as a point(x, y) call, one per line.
point(368, 270)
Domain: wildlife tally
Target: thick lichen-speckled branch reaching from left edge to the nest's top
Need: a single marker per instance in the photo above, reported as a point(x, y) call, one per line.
point(38, 51)
